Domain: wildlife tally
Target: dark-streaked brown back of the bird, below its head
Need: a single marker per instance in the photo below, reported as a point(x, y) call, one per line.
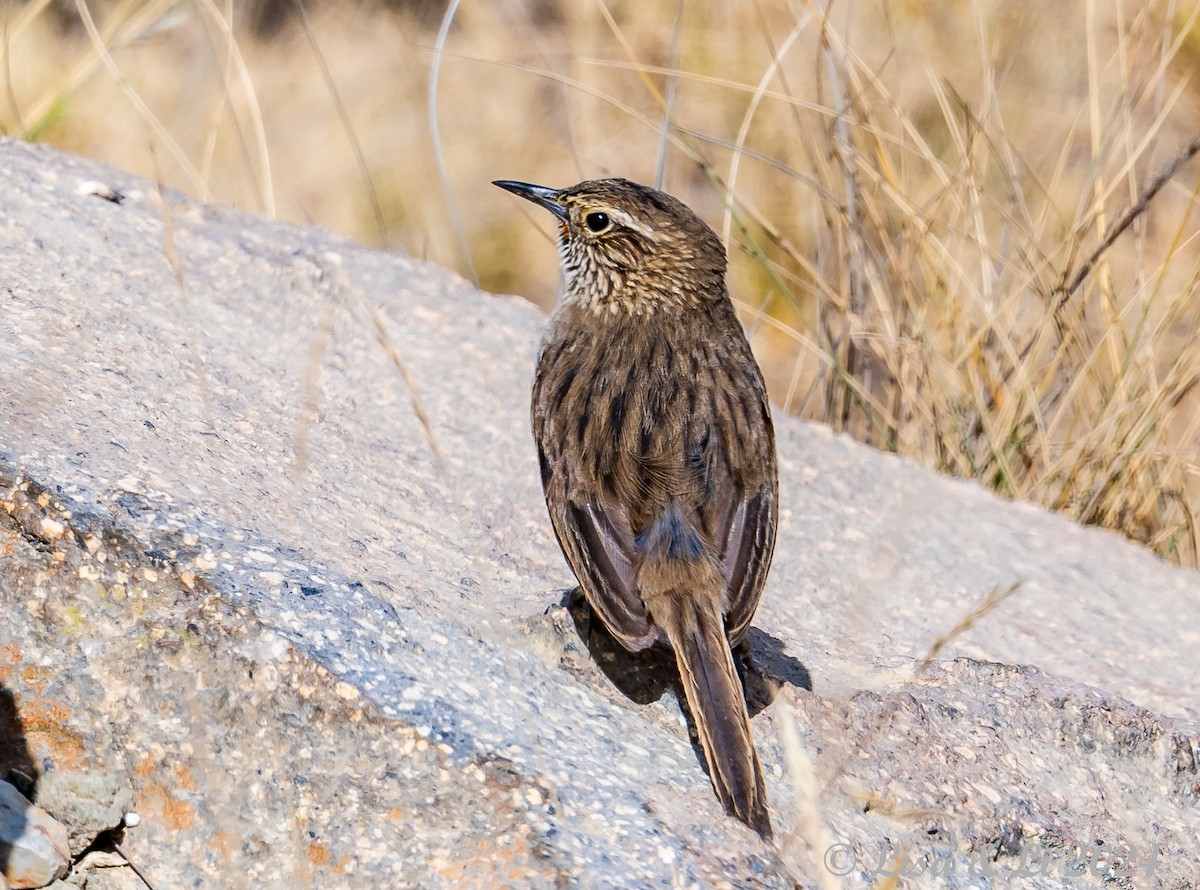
point(667, 416)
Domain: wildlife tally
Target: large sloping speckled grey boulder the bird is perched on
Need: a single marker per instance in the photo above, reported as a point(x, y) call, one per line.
point(235, 575)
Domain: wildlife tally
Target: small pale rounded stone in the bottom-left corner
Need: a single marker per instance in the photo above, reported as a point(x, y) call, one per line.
point(33, 846)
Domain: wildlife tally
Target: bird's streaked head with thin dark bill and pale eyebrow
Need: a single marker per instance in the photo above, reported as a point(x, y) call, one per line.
point(631, 249)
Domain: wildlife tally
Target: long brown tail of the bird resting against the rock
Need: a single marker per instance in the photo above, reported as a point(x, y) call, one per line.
point(697, 633)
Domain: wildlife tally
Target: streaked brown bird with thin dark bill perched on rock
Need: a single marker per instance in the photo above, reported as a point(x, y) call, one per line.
point(658, 452)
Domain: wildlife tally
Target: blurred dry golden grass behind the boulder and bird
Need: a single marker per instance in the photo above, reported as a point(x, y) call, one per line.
point(962, 232)
